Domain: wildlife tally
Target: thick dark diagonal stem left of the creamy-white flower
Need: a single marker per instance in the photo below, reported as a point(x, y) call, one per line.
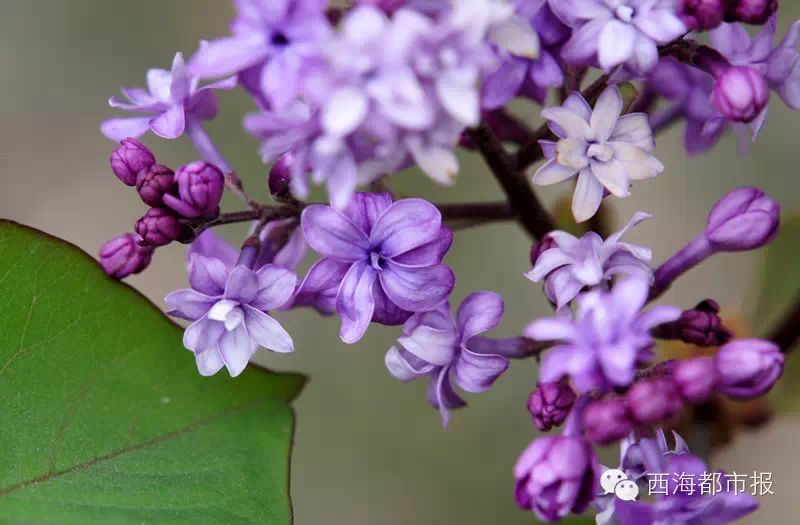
point(529, 211)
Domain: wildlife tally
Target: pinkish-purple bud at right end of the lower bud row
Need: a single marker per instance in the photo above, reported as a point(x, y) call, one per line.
point(748, 368)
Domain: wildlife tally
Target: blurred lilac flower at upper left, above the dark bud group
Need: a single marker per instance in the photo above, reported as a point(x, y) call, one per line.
point(172, 102)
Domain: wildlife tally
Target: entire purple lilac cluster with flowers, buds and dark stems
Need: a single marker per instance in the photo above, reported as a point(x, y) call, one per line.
point(349, 97)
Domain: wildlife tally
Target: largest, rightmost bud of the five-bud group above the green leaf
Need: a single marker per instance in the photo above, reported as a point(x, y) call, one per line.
point(200, 188)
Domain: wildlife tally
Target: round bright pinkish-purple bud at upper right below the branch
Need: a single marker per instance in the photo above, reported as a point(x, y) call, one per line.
point(740, 93)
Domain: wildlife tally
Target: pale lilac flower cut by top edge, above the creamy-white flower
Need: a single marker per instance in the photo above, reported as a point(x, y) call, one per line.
point(618, 31)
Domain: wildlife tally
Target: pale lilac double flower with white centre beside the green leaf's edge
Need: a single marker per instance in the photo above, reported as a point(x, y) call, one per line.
point(228, 305)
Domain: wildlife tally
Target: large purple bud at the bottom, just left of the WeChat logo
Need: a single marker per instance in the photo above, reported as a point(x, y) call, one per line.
point(556, 476)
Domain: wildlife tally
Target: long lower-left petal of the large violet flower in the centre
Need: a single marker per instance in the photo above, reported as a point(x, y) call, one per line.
point(354, 301)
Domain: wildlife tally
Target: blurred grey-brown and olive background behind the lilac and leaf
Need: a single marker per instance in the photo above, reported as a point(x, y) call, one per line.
point(368, 449)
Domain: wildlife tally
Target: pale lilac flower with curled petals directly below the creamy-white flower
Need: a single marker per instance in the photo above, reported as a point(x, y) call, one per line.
point(574, 264)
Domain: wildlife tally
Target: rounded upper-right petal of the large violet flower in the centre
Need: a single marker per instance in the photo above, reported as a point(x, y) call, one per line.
point(405, 225)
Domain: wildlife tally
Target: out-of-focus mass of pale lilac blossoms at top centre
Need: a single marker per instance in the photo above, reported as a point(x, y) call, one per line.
point(384, 93)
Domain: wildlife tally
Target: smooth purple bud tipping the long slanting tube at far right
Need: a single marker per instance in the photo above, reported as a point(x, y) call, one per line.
point(744, 219)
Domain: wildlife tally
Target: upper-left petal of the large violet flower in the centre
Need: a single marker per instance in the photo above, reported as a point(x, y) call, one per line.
point(329, 233)
